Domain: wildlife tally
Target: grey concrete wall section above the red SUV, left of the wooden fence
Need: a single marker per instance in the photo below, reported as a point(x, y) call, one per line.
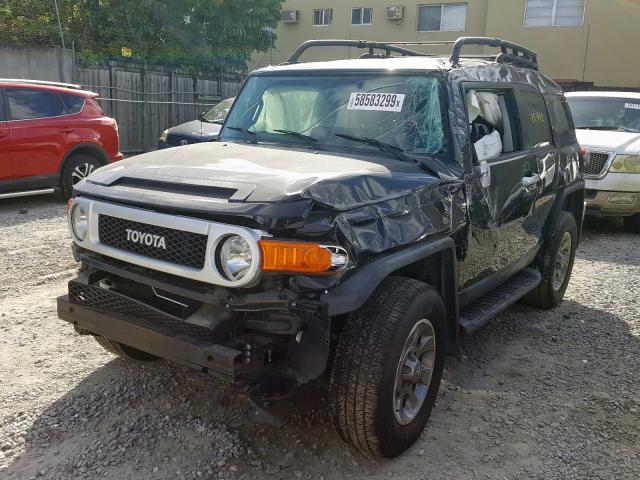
point(37, 63)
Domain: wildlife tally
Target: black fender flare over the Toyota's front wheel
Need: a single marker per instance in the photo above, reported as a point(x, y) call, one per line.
point(432, 262)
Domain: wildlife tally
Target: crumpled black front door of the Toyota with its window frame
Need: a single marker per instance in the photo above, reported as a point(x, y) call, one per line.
point(503, 192)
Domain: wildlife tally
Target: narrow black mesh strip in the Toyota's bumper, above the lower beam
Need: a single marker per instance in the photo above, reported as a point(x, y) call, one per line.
point(105, 301)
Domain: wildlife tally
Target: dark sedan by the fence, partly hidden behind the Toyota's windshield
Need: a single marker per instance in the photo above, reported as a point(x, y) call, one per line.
point(204, 129)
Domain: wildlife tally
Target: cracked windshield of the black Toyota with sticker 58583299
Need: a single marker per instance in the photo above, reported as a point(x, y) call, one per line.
point(395, 113)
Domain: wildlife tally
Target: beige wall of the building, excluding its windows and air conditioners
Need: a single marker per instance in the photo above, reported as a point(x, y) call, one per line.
point(608, 39)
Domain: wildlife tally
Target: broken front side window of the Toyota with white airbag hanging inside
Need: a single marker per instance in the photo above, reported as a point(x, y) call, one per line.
point(493, 122)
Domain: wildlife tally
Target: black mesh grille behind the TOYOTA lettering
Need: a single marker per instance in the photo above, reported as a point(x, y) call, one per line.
point(182, 248)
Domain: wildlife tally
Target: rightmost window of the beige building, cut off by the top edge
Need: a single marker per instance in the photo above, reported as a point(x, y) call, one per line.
point(554, 13)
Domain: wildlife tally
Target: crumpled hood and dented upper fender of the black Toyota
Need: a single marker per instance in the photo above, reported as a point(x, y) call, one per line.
point(373, 205)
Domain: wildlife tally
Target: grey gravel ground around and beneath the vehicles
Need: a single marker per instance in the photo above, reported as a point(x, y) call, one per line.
point(535, 395)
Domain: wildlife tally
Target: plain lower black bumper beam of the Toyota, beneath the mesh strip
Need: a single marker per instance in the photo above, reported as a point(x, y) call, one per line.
point(219, 360)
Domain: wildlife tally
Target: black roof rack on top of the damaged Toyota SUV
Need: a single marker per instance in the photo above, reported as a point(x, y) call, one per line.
point(511, 53)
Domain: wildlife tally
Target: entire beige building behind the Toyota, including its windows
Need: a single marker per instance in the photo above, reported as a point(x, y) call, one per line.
point(580, 43)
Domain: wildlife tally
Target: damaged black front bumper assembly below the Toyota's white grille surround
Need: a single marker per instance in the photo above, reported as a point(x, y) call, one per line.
point(246, 339)
